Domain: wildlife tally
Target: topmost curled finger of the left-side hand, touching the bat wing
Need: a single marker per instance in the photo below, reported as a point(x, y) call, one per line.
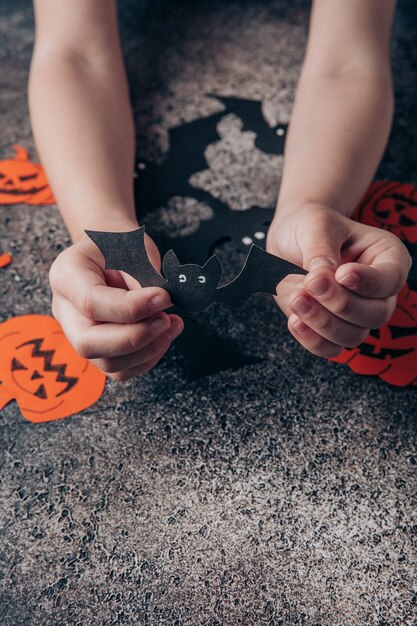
point(86, 289)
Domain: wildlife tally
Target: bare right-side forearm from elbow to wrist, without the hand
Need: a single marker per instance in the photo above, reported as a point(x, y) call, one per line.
point(338, 132)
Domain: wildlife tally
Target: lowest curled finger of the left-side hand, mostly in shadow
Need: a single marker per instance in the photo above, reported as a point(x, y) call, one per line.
point(151, 351)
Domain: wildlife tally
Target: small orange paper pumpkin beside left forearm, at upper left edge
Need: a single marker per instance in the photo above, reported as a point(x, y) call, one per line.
point(22, 181)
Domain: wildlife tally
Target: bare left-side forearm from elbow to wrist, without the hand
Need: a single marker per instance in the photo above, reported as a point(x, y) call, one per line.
point(82, 122)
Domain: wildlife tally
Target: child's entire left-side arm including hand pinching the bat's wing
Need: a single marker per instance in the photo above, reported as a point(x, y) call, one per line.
point(83, 128)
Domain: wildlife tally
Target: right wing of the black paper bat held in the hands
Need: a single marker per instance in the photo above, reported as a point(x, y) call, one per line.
point(261, 273)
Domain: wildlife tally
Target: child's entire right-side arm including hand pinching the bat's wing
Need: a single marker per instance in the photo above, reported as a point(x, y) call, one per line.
point(339, 129)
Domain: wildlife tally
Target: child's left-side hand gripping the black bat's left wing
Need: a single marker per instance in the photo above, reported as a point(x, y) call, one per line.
point(107, 316)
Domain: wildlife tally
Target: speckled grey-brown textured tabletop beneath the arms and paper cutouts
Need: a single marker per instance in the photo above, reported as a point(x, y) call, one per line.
point(282, 493)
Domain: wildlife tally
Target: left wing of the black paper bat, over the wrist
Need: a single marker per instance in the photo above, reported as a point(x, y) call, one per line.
point(127, 252)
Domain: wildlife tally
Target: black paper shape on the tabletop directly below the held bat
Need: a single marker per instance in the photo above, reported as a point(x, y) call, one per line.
point(204, 353)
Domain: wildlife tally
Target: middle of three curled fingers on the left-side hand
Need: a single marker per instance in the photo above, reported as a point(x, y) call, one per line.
point(107, 340)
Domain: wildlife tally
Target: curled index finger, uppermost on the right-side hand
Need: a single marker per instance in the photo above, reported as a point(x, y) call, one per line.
point(383, 278)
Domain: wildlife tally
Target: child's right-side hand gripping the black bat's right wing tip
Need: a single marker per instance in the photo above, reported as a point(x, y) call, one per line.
point(355, 272)
